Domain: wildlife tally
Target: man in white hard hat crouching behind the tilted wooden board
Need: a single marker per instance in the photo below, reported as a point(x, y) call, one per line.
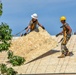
point(33, 23)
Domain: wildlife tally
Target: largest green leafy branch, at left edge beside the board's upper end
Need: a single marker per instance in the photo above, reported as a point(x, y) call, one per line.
point(5, 36)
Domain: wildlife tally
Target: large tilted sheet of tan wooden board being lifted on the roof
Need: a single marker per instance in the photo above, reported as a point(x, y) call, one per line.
point(33, 44)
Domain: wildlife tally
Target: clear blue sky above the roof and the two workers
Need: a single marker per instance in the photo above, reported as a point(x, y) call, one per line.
point(17, 14)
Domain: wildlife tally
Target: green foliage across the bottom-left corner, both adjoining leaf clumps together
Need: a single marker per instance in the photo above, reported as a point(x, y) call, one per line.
point(7, 71)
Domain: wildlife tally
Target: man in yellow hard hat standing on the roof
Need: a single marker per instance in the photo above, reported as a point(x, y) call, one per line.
point(66, 36)
